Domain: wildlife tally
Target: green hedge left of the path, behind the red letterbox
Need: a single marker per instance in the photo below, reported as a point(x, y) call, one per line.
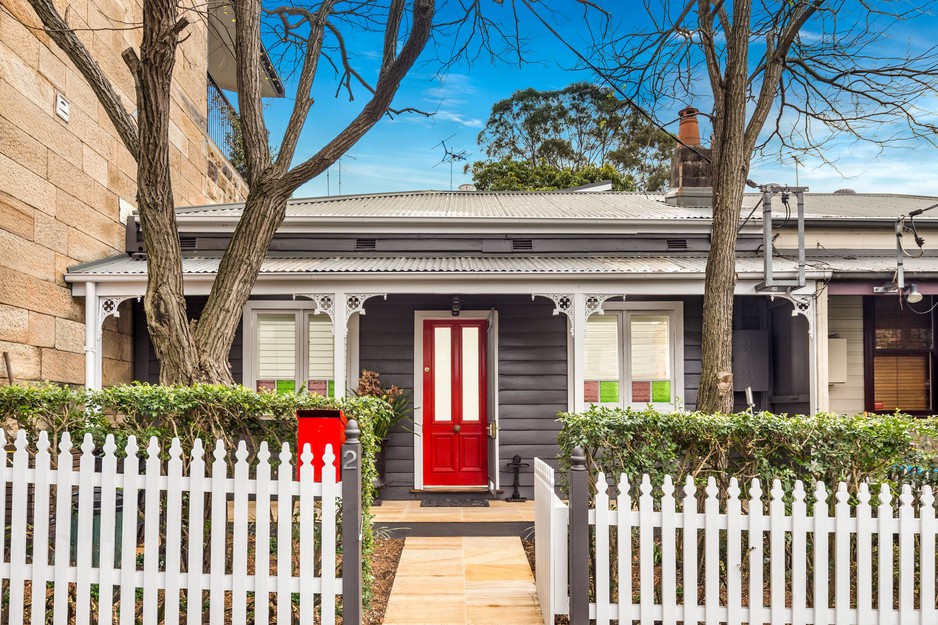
point(202, 411)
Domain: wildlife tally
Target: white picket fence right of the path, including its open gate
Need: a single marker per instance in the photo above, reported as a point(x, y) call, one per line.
point(646, 554)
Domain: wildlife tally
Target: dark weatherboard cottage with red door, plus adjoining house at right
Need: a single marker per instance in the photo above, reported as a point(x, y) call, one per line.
point(502, 309)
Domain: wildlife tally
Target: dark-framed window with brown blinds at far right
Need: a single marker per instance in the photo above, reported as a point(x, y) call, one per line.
point(903, 341)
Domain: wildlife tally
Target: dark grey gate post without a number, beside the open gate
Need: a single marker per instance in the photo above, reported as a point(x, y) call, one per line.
point(578, 557)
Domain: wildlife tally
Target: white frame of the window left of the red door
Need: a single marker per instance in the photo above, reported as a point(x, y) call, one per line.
point(299, 310)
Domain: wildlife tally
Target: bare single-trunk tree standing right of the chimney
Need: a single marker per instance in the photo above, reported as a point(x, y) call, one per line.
point(780, 77)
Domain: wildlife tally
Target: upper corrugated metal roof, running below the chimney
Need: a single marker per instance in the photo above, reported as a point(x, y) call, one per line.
point(560, 206)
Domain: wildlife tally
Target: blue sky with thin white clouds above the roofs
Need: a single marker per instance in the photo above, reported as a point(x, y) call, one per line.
point(405, 153)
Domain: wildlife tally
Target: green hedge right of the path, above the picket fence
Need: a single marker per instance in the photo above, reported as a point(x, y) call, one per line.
point(825, 447)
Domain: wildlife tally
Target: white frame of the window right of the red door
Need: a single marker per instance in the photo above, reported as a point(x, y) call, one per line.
point(675, 313)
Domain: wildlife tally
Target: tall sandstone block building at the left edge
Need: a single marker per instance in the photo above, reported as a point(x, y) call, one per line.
point(67, 184)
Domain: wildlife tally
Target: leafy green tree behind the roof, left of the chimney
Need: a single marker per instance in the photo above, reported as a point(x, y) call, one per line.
point(542, 140)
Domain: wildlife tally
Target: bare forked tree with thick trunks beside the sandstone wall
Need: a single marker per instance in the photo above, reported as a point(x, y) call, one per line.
point(317, 34)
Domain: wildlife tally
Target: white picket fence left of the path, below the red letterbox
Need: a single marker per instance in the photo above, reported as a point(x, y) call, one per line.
point(191, 564)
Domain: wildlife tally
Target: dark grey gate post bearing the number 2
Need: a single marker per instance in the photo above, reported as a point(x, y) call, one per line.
point(351, 465)
